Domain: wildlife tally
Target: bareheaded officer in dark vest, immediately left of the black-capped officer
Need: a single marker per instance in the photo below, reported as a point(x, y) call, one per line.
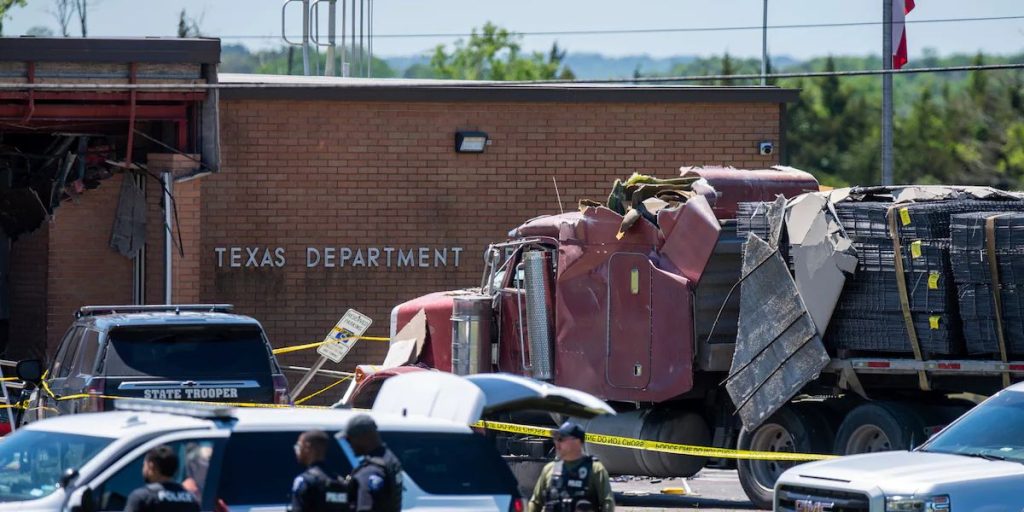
point(315, 491)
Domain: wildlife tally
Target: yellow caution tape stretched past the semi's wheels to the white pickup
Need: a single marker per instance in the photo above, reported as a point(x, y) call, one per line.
point(668, 448)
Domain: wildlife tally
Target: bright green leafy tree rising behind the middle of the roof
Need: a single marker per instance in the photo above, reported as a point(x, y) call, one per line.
point(495, 54)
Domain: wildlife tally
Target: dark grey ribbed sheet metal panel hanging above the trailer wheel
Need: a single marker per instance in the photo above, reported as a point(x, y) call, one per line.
point(779, 351)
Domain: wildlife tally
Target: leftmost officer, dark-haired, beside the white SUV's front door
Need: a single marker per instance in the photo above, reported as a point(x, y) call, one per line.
point(161, 493)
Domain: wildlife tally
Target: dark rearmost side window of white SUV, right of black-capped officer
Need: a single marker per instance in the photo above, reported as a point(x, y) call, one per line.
point(444, 463)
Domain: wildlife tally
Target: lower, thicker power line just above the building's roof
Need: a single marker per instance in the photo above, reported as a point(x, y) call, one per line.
point(809, 74)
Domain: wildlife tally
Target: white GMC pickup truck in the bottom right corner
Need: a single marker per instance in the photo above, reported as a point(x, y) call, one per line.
point(975, 464)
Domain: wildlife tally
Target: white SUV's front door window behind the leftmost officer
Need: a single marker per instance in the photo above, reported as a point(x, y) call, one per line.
point(194, 457)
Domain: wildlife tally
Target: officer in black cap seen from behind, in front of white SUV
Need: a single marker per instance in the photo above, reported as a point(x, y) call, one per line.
point(378, 477)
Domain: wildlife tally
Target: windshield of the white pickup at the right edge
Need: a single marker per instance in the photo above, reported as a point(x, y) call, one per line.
point(993, 431)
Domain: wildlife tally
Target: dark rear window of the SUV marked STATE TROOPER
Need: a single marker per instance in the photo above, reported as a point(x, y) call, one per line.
point(197, 352)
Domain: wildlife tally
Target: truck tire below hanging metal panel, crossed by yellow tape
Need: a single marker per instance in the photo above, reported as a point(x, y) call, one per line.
point(793, 429)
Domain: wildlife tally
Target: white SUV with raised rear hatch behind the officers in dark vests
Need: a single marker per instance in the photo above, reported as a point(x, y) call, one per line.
point(243, 459)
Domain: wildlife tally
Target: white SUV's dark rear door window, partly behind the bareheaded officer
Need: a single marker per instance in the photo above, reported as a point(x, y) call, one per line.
point(268, 458)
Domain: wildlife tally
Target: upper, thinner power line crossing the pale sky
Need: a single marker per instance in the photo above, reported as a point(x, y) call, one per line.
point(671, 30)
